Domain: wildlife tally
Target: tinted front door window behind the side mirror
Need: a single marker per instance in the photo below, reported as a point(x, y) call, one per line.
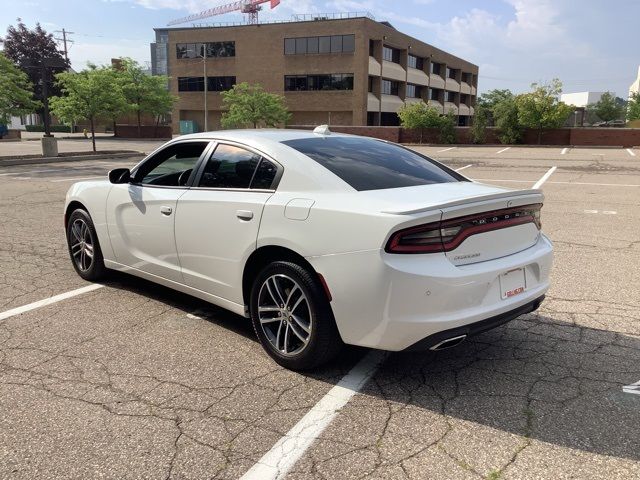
point(172, 166)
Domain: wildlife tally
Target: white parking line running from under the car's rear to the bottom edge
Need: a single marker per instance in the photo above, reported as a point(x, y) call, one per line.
point(287, 451)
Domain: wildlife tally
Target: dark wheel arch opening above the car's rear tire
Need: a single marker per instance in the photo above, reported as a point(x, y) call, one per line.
point(264, 255)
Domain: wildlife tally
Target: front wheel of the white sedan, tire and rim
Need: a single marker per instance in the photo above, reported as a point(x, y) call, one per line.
point(84, 248)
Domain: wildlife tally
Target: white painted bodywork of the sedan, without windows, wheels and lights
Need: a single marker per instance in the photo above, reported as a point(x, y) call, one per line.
point(382, 300)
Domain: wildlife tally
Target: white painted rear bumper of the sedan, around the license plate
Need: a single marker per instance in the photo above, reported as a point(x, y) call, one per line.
point(392, 302)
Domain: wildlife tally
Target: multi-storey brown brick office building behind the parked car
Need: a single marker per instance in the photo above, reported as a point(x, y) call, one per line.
point(341, 71)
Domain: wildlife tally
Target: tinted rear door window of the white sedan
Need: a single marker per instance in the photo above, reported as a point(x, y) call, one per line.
point(229, 167)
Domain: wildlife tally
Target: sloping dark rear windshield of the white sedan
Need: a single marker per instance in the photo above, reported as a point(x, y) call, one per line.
point(368, 164)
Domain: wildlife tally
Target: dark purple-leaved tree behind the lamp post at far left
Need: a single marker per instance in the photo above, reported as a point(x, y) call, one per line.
point(27, 48)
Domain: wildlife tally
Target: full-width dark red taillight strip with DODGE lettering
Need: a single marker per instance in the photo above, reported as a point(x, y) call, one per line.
point(449, 234)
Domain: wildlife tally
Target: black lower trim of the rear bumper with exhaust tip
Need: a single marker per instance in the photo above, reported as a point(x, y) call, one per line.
point(472, 329)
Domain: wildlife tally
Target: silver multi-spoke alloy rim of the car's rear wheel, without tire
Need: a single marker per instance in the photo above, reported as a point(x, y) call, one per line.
point(285, 314)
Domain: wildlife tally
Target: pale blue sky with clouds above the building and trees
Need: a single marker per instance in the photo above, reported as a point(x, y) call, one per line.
point(588, 44)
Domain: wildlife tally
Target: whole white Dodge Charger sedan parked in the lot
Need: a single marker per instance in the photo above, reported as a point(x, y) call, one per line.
point(321, 239)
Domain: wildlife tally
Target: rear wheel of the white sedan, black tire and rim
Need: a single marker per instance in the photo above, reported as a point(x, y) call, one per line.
point(292, 317)
